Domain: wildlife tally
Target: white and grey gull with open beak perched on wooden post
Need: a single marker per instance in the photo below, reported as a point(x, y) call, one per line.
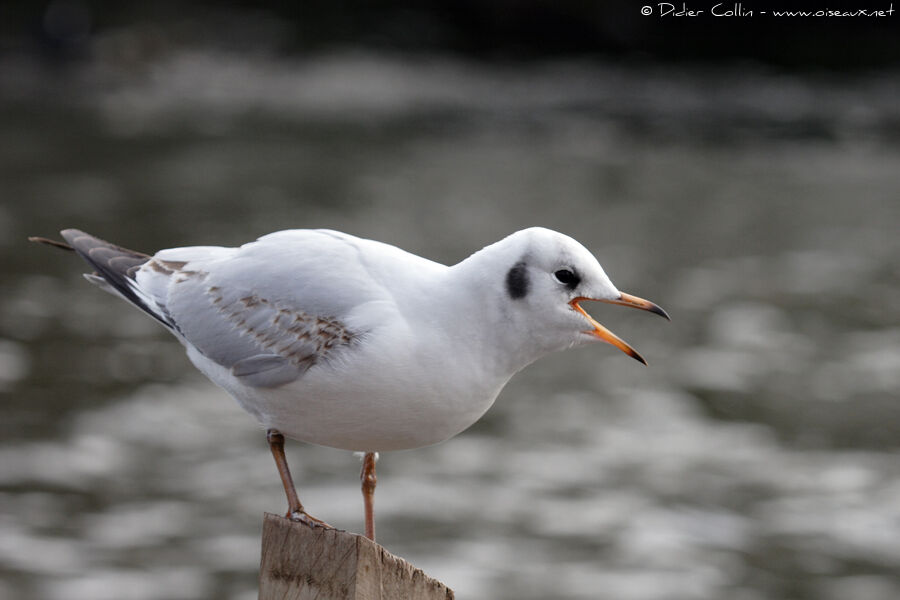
point(340, 341)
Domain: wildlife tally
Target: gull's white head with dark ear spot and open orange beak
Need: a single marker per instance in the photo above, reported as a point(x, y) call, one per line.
point(545, 277)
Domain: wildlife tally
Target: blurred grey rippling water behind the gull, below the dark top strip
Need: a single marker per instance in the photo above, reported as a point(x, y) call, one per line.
point(757, 456)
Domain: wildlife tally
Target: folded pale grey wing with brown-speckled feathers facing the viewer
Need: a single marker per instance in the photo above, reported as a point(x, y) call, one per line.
point(269, 310)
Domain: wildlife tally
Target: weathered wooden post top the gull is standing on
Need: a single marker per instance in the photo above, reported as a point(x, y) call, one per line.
point(301, 563)
